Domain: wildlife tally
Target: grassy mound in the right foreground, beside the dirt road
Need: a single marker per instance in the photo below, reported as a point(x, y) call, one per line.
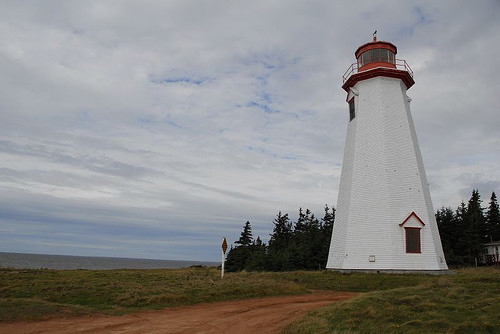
point(468, 302)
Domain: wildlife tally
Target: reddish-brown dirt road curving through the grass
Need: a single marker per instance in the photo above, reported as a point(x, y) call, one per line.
point(262, 315)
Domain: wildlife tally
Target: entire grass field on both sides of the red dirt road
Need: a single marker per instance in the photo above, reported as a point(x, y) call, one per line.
point(468, 302)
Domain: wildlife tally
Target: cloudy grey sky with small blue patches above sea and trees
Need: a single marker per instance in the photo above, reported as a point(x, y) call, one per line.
point(151, 129)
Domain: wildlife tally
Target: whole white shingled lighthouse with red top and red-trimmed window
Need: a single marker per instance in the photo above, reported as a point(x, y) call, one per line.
point(384, 220)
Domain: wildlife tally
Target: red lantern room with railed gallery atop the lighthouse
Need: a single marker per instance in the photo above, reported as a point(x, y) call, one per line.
point(377, 58)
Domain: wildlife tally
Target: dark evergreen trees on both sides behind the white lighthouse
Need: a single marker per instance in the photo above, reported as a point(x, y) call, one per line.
point(304, 244)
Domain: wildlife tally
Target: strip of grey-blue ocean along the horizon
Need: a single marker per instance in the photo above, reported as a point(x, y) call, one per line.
point(66, 262)
